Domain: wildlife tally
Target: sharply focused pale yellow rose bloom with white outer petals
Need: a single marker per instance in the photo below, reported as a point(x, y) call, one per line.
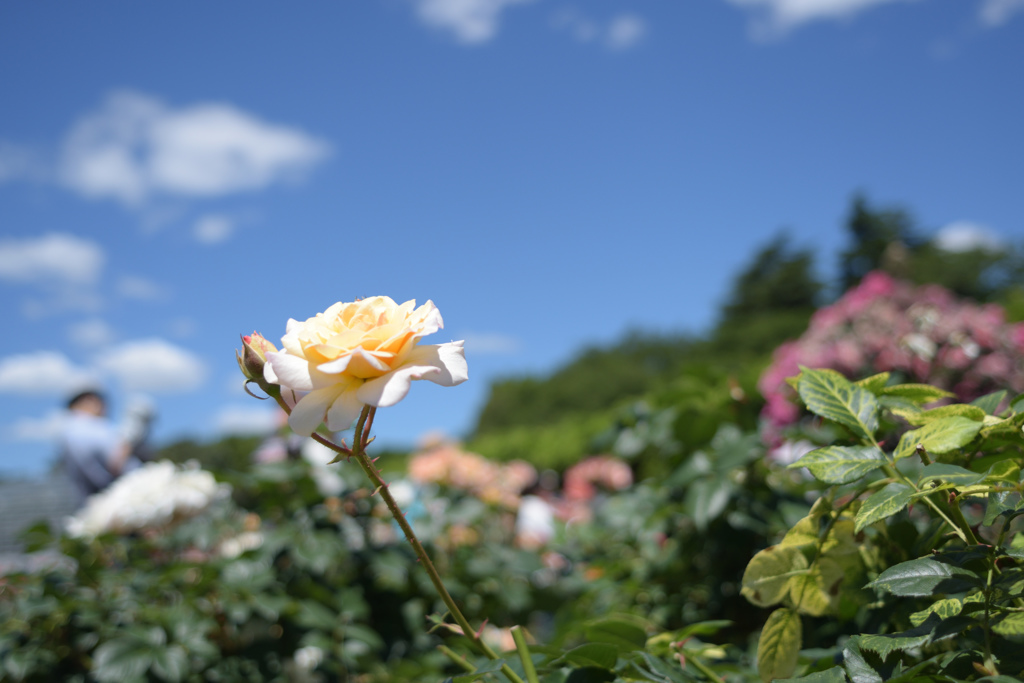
point(360, 354)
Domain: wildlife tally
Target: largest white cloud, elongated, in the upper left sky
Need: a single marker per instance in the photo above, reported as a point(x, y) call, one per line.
point(136, 148)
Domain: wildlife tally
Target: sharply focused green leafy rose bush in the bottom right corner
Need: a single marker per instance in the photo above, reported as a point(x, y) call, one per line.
point(913, 542)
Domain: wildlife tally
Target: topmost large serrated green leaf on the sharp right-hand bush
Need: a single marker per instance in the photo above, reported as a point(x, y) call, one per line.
point(831, 396)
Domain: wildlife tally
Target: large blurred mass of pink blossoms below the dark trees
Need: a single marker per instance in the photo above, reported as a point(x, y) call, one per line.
point(924, 334)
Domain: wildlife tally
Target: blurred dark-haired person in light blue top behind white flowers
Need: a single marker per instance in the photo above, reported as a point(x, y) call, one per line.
point(95, 451)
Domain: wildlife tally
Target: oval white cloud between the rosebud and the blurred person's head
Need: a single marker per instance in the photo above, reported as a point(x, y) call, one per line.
point(155, 366)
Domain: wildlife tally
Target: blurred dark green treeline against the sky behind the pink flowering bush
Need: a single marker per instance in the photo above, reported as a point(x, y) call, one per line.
point(554, 420)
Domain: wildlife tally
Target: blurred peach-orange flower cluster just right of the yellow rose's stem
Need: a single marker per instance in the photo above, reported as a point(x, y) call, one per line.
point(449, 465)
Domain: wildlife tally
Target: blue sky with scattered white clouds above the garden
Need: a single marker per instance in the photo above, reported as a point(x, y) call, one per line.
point(549, 174)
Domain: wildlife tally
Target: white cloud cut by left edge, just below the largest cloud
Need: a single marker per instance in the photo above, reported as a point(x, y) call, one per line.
point(54, 259)
